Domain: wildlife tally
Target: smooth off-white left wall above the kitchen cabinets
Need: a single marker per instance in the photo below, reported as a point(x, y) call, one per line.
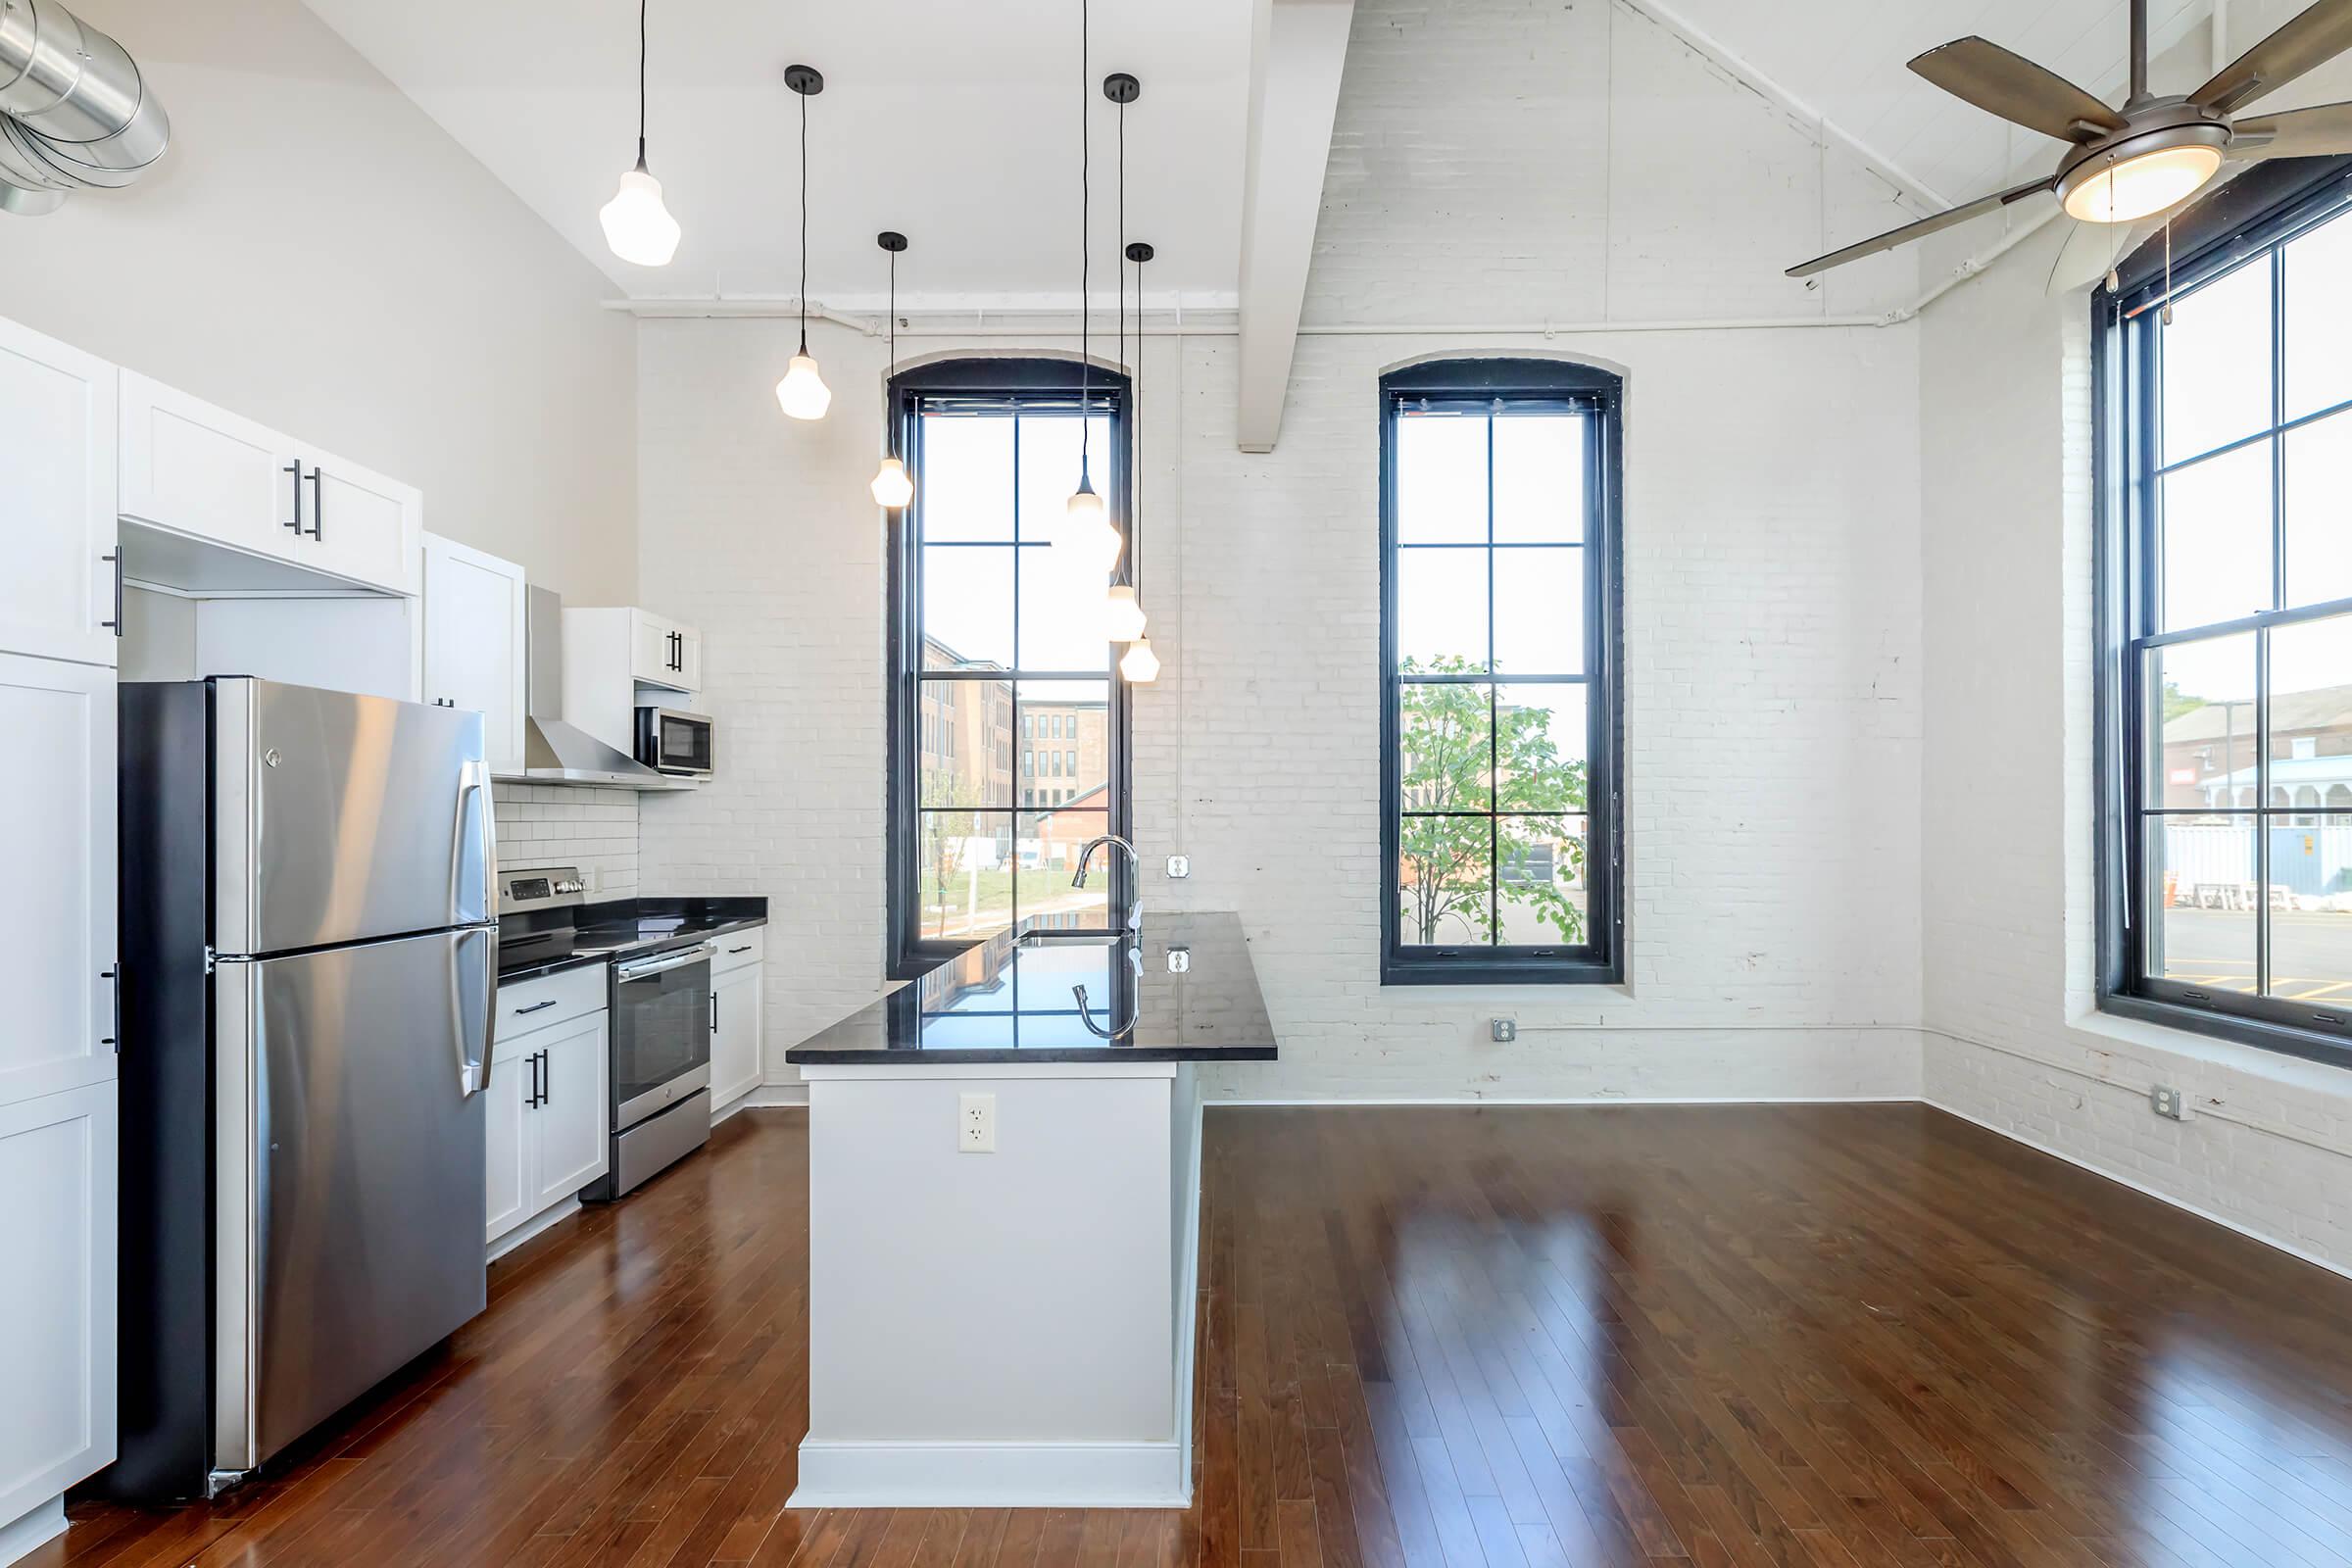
point(321, 257)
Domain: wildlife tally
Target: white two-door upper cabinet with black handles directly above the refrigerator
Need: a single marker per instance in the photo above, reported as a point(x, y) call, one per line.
point(220, 478)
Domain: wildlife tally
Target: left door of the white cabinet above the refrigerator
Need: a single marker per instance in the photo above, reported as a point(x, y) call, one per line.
point(206, 471)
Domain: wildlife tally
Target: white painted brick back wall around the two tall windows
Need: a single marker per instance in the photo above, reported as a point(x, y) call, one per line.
point(1772, 594)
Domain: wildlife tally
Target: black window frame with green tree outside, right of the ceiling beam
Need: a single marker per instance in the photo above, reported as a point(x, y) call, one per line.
point(1601, 394)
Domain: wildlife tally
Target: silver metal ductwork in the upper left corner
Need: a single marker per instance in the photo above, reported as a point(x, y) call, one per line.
point(74, 109)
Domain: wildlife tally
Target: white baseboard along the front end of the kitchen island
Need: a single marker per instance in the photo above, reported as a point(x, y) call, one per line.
point(991, 1475)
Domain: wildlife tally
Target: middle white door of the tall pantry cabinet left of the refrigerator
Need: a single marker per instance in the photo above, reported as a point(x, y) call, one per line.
point(58, 923)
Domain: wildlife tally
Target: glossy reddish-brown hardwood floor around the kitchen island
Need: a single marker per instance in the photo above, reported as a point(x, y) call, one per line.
point(1434, 1339)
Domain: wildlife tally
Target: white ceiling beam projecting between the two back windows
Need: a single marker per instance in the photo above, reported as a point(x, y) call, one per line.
point(1297, 55)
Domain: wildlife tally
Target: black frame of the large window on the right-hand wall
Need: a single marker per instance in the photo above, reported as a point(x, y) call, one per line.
point(2245, 225)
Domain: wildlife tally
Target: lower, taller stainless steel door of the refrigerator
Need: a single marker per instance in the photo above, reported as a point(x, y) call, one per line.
point(349, 1174)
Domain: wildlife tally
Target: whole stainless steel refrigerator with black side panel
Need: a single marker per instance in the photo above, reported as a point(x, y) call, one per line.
point(309, 970)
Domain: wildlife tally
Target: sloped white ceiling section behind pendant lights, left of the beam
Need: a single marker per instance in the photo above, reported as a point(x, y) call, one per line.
point(949, 121)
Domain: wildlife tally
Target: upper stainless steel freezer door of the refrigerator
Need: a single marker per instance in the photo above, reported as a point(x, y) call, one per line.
point(345, 817)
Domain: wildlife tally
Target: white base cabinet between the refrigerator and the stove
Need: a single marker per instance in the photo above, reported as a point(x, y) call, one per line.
point(547, 1104)
